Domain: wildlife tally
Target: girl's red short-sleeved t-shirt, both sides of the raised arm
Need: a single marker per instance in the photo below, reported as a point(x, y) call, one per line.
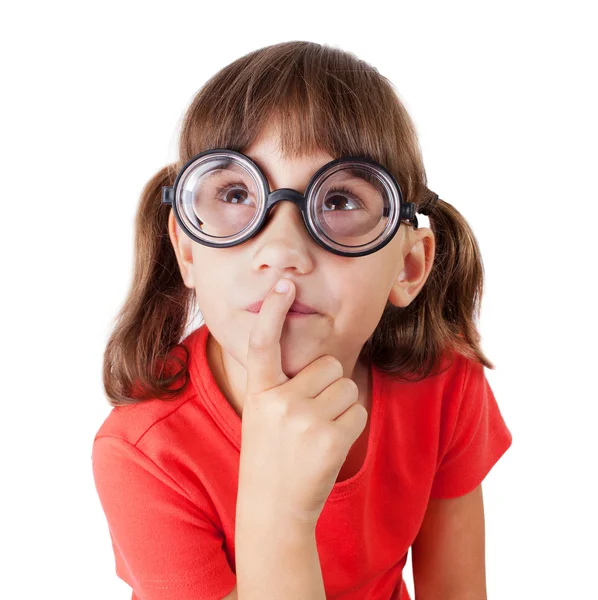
point(167, 477)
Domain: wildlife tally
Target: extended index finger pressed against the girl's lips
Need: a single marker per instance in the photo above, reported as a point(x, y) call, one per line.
point(264, 362)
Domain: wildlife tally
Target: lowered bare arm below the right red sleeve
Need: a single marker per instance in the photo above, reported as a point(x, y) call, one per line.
point(448, 554)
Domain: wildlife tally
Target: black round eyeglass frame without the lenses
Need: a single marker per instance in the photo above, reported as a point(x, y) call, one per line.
point(404, 213)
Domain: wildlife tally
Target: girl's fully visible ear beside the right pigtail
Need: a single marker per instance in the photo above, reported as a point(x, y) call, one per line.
point(414, 268)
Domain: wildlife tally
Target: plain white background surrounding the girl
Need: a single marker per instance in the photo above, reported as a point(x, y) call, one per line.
point(504, 99)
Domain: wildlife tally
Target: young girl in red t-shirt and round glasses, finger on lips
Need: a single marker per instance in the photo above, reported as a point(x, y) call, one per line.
point(298, 444)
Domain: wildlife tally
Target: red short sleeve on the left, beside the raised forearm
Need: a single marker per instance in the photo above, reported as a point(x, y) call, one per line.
point(165, 546)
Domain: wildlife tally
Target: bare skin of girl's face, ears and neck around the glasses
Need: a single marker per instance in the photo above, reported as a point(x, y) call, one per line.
point(226, 280)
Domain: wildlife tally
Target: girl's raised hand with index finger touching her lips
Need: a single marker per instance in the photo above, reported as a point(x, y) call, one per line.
point(296, 433)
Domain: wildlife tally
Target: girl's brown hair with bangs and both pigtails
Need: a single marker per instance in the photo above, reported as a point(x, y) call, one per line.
point(322, 98)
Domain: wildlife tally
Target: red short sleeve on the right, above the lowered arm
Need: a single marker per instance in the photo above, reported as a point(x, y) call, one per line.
point(479, 437)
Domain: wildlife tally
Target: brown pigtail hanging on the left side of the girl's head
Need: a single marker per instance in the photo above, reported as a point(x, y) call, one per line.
point(143, 358)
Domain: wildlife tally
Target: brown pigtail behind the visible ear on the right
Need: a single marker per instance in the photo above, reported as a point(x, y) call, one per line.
point(442, 317)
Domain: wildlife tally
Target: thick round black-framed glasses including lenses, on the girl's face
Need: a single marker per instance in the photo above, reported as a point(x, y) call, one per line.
point(352, 206)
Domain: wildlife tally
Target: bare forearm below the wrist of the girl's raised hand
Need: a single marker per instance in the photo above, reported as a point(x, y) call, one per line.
point(276, 561)
